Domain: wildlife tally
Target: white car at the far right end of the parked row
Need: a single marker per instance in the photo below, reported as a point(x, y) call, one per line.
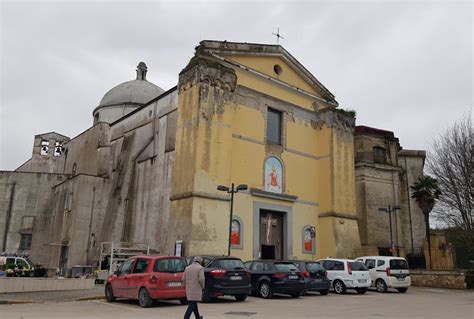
point(388, 272)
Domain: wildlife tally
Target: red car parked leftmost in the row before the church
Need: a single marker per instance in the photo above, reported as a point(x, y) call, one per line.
point(147, 278)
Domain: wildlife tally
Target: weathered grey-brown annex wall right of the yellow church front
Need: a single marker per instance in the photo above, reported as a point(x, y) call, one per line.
point(380, 185)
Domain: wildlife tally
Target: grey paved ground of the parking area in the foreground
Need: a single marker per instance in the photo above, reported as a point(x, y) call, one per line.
point(416, 303)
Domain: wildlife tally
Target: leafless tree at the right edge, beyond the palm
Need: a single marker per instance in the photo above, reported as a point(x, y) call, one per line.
point(451, 162)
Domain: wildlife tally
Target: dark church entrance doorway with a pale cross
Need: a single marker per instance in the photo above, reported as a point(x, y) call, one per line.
point(271, 234)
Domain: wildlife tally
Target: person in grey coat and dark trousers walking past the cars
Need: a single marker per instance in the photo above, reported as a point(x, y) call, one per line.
point(194, 279)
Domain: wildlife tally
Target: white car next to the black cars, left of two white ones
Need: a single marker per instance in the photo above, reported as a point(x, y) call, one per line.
point(347, 274)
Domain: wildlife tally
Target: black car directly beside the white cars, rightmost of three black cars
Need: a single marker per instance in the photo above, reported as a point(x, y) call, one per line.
point(315, 276)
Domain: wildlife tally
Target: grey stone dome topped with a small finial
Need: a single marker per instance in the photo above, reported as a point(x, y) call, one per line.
point(125, 97)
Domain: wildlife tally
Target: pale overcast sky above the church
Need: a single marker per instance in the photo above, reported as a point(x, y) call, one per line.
point(403, 66)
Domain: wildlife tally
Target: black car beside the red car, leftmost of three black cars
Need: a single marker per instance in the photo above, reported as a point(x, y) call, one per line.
point(225, 275)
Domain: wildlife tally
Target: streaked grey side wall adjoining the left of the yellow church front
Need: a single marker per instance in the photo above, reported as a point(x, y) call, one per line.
point(140, 162)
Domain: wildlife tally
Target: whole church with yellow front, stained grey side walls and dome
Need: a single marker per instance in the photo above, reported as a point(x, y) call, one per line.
point(149, 168)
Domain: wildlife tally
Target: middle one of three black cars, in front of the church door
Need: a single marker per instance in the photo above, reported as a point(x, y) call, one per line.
point(270, 276)
